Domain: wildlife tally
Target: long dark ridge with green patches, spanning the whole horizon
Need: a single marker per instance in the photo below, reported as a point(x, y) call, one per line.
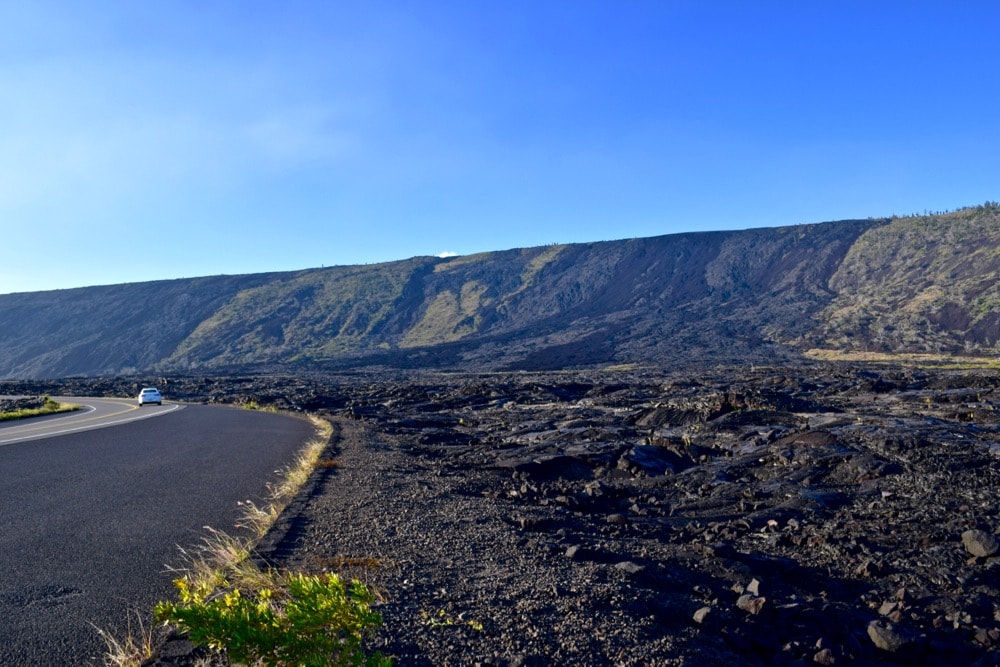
point(906, 284)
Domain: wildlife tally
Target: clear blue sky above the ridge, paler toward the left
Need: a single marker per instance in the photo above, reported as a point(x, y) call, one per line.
point(149, 140)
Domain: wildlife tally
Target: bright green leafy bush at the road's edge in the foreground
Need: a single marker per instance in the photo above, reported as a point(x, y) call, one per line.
point(302, 620)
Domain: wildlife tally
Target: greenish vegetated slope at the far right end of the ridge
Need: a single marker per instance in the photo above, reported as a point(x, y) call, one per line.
point(927, 284)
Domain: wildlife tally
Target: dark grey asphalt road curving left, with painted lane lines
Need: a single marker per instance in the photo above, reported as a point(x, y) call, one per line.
point(93, 517)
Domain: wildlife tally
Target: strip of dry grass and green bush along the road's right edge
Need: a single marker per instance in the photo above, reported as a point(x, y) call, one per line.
point(257, 616)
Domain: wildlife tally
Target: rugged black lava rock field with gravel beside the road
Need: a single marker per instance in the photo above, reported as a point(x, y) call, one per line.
point(822, 515)
